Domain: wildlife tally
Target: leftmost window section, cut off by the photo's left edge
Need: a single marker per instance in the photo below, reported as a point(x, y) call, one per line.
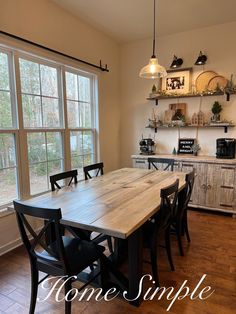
point(8, 163)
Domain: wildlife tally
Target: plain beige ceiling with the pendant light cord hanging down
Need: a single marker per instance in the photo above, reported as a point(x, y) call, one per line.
point(130, 20)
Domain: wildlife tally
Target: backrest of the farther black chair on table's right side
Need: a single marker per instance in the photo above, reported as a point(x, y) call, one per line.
point(185, 195)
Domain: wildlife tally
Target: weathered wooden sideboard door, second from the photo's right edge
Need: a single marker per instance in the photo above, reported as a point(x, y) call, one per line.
point(212, 186)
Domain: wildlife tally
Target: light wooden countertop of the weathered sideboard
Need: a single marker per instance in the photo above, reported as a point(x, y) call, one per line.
point(191, 158)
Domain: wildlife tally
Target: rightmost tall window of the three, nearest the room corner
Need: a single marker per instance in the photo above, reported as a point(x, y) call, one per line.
point(80, 119)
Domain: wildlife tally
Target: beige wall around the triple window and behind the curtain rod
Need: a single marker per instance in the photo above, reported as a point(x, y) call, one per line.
point(49, 25)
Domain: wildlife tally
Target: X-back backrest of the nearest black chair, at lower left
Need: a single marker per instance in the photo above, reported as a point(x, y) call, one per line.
point(34, 241)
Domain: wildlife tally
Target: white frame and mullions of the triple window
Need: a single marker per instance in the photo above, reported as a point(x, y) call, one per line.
point(20, 132)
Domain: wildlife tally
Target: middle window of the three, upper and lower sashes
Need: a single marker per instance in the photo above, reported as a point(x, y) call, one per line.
point(42, 109)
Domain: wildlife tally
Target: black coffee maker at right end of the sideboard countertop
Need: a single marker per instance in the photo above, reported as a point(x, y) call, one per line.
point(225, 148)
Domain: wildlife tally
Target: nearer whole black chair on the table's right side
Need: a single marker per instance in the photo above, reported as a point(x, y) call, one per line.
point(159, 224)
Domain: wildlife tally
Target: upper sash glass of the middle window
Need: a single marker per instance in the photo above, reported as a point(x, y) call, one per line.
point(40, 95)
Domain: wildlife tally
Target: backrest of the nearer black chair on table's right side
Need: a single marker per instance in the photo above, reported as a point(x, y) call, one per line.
point(164, 217)
